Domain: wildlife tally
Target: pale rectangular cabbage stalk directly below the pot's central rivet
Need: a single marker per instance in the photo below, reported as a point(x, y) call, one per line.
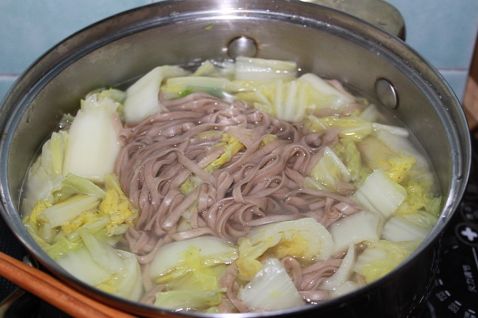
point(257, 69)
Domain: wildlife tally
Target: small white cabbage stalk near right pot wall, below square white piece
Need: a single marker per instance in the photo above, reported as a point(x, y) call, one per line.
point(399, 229)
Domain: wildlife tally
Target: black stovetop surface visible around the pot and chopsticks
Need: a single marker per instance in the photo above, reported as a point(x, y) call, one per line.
point(455, 291)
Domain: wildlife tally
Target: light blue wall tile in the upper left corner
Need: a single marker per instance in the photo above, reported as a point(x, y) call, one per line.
point(30, 27)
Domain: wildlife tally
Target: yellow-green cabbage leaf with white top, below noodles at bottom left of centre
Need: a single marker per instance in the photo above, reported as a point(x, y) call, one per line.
point(189, 271)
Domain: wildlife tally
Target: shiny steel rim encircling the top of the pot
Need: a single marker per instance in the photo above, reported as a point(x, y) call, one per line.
point(30, 83)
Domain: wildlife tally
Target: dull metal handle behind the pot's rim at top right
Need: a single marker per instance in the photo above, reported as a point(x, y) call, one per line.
point(376, 12)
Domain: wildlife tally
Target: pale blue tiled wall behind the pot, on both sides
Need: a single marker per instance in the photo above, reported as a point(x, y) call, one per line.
point(443, 31)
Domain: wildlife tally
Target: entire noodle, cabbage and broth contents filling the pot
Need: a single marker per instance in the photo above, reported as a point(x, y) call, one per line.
point(237, 186)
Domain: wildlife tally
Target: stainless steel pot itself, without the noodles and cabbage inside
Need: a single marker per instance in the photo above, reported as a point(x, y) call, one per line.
point(335, 45)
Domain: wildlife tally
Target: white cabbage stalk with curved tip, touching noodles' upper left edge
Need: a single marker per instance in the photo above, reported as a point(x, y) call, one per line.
point(142, 98)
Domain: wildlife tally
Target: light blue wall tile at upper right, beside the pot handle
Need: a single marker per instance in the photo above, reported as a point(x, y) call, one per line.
point(443, 31)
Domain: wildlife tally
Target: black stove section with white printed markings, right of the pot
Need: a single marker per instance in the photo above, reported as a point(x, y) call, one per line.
point(455, 291)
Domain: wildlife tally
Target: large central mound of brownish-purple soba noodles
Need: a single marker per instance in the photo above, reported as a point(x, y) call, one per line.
point(260, 185)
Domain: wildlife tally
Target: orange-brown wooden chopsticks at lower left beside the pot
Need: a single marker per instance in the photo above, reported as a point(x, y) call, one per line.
point(54, 291)
